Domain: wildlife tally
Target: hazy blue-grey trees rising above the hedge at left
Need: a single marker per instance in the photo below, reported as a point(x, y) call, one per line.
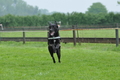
point(19, 7)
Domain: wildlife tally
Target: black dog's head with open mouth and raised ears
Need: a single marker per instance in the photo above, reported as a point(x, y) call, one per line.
point(53, 30)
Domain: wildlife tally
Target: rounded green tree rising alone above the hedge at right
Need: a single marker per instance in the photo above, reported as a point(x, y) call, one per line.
point(97, 8)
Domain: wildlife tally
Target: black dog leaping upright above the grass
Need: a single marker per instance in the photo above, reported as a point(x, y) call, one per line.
point(54, 41)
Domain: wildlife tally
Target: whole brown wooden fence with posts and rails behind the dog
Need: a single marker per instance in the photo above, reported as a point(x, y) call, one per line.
point(75, 39)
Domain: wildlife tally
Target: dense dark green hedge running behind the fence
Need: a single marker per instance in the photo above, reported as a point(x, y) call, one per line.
point(66, 19)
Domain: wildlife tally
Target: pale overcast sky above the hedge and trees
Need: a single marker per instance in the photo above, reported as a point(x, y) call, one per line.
point(72, 5)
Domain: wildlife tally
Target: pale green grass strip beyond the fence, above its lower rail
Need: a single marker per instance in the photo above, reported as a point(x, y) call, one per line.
point(101, 33)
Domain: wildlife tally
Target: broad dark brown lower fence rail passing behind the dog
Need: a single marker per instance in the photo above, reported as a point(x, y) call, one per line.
point(64, 39)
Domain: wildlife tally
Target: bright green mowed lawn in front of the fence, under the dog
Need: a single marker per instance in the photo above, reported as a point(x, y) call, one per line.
point(31, 61)
